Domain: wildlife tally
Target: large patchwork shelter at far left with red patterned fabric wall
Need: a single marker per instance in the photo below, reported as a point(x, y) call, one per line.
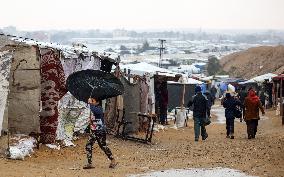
point(33, 76)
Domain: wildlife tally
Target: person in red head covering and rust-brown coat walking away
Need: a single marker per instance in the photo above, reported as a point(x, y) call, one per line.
point(252, 105)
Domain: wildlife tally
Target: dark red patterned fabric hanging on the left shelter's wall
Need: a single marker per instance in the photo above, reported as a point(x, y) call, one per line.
point(52, 90)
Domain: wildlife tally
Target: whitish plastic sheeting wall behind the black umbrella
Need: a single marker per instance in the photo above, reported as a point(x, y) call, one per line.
point(73, 114)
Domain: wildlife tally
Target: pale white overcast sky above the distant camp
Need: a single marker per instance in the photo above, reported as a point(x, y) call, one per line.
point(142, 14)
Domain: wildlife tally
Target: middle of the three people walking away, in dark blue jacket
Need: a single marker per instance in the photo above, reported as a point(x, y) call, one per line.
point(230, 104)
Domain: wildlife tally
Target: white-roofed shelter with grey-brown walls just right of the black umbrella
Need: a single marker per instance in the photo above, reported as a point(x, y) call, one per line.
point(141, 82)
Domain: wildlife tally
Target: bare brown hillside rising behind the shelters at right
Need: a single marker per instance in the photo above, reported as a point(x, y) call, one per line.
point(254, 61)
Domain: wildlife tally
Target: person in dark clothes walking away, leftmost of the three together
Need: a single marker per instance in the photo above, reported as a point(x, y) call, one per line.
point(200, 106)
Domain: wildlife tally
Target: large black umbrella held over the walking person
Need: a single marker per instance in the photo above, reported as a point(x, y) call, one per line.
point(93, 83)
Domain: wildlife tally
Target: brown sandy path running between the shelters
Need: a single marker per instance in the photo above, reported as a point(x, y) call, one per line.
point(171, 149)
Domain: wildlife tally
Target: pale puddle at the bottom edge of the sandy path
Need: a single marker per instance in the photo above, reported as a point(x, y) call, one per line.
point(195, 172)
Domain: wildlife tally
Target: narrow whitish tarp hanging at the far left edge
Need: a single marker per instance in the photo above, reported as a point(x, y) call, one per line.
point(5, 66)
